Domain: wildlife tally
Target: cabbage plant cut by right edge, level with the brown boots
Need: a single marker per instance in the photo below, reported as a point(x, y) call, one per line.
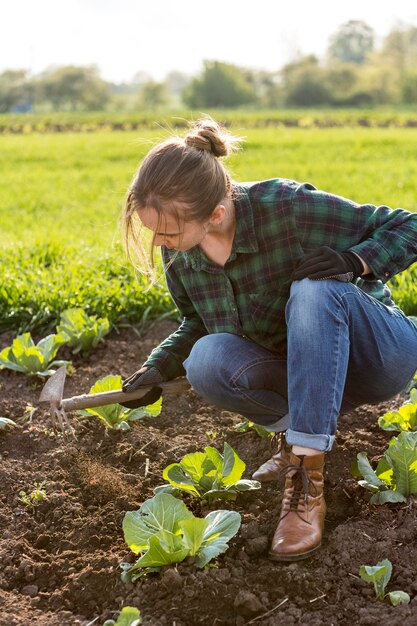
point(395, 476)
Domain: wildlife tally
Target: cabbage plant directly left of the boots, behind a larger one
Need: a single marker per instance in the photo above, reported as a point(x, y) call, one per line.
point(208, 475)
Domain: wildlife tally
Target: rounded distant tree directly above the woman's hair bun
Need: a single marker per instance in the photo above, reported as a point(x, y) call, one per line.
point(219, 85)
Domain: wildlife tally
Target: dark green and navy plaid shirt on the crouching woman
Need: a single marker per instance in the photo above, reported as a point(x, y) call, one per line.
point(277, 221)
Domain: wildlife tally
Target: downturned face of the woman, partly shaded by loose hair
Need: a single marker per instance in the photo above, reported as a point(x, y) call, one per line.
point(171, 233)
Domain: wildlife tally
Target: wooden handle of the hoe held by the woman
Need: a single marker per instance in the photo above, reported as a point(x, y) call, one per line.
point(90, 400)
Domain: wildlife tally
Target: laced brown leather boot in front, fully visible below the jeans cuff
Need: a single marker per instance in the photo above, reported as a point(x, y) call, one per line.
point(300, 526)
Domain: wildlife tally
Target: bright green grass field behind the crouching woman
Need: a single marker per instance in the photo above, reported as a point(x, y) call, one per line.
point(62, 193)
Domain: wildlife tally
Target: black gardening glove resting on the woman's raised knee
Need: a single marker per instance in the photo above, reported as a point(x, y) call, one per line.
point(327, 263)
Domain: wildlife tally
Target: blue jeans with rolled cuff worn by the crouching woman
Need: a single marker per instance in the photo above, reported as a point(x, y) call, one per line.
point(345, 348)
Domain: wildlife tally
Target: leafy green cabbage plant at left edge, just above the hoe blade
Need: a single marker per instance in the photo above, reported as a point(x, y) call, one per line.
point(34, 360)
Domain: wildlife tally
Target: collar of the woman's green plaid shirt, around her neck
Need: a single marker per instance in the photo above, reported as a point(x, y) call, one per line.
point(245, 237)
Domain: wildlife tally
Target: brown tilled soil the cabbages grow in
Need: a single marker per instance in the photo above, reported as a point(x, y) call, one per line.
point(60, 560)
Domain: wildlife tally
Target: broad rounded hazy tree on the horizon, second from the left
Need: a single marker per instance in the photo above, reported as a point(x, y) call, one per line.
point(75, 88)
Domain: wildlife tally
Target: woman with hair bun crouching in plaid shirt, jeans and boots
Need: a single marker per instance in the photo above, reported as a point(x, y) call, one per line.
point(286, 316)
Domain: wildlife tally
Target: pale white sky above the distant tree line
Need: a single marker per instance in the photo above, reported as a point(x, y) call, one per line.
point(124, 37)
